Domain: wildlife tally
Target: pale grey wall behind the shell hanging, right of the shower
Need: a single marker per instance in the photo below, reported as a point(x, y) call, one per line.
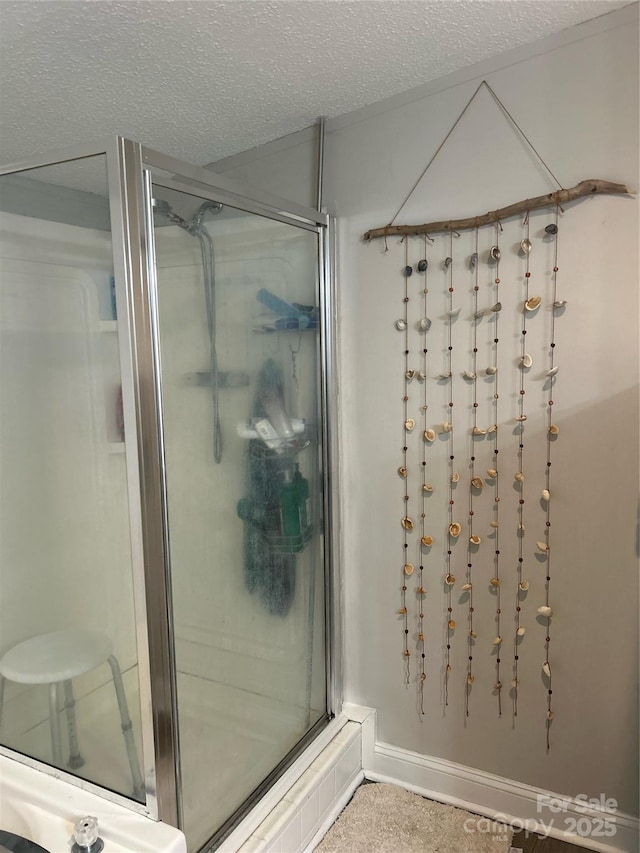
point(576, 97)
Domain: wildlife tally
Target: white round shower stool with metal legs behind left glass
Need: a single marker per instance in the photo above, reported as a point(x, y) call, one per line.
point(56, 659)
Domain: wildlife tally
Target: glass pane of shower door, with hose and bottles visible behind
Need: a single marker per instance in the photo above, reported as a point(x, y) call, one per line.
point(239, 348)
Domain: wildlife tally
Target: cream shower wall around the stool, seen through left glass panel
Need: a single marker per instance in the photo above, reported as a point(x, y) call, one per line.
point(65, 549)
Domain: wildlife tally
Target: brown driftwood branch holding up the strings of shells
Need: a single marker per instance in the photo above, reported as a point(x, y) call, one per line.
point(593, 186)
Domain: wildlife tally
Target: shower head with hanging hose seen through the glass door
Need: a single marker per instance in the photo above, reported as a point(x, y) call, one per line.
point(196, 228)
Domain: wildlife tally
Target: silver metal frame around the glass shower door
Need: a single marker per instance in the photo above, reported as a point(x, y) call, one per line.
point(180, 176)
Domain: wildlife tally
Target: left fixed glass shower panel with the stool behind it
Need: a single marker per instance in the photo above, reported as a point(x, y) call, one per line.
point(67, 633)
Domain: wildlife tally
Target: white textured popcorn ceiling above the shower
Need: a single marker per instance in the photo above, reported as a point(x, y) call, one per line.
point(206, 79)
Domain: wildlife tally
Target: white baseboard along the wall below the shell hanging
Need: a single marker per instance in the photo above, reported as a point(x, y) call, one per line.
point(503, 799)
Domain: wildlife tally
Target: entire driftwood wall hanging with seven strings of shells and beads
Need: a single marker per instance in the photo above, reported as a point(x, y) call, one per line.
point(480, 309)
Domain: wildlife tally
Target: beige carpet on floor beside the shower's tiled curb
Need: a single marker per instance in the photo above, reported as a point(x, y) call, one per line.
point(386, 819)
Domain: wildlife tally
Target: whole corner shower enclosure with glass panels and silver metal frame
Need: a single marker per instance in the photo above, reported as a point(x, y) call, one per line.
point(165, 458)
